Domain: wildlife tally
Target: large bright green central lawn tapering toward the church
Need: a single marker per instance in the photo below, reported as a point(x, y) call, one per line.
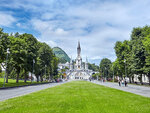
point(77, 97)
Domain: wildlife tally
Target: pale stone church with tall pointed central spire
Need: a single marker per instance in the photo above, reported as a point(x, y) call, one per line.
point(79, 69)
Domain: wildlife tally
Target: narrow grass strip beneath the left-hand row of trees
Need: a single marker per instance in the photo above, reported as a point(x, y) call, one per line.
point(12, 83)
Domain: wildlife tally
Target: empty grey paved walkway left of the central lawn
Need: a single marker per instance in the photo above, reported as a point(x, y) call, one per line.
point(15, 92)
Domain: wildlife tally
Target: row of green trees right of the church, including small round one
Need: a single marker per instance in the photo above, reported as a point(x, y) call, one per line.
point(133, 56)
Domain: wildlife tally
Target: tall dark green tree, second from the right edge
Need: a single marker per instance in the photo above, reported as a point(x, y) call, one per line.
point(138, 50)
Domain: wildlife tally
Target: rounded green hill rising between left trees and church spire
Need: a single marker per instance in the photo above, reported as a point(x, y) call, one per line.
point(61, 54)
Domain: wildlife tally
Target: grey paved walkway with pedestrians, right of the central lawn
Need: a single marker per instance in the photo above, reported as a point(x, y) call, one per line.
point(139, 90)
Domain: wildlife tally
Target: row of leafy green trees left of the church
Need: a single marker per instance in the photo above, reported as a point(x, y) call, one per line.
point(23, 53)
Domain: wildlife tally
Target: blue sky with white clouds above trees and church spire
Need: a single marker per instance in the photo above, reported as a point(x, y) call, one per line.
point(97, 24)
